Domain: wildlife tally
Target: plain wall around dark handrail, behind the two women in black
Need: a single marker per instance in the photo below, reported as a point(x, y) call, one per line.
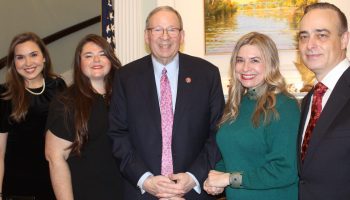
point(46, 18)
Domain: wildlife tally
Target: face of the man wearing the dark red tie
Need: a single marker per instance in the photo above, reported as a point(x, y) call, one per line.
point(321, 44)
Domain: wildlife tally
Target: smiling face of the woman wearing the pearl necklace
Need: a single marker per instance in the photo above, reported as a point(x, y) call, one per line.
point(29, 62)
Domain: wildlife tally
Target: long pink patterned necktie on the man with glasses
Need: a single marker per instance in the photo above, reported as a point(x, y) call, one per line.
point(167, 118)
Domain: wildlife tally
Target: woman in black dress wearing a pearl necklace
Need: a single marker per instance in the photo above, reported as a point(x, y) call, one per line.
point(24, 101)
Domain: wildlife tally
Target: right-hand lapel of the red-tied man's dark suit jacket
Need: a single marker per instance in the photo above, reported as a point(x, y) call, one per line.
point(337, 100)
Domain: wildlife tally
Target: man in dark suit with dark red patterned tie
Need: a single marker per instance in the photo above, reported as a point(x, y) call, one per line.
point(324, 139)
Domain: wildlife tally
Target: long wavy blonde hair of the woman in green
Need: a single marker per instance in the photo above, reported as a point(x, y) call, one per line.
point(273, 82)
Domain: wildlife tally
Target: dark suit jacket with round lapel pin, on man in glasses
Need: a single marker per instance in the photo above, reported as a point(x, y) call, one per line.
point(135, 123)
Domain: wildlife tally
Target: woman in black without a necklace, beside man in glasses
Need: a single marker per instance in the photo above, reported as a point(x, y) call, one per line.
point(77, 146)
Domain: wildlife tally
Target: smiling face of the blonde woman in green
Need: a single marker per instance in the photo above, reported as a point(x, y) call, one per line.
point(250, 66)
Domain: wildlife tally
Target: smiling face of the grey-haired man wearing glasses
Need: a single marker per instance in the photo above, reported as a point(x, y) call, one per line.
point(163, 47)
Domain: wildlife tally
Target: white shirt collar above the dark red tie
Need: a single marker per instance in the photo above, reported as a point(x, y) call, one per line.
point(333, 76)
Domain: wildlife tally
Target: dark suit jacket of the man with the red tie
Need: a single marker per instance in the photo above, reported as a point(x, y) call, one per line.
point(325, 173)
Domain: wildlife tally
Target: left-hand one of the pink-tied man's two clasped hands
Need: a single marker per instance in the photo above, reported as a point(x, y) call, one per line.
point(162, 187)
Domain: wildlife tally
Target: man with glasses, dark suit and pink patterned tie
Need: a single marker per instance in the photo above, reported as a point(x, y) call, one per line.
point(137, 117)
